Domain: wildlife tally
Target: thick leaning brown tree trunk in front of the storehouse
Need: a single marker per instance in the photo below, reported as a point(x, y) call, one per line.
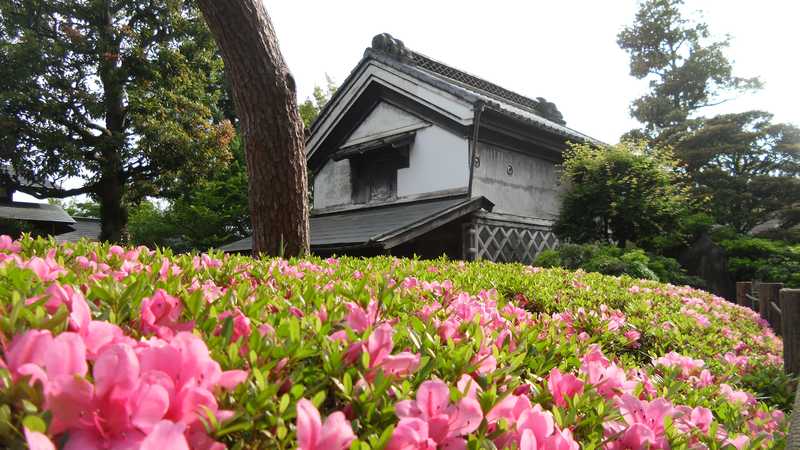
point(265, 99)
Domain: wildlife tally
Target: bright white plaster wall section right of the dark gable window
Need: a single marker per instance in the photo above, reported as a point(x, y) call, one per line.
point(437, 162)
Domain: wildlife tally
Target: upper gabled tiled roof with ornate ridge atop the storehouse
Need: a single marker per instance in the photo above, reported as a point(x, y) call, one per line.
point(467, 88)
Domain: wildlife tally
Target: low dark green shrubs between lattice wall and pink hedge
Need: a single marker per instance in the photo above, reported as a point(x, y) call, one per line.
point(612, 260)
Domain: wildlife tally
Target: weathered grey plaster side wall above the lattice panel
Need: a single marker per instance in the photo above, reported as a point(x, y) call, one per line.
point(532, 191)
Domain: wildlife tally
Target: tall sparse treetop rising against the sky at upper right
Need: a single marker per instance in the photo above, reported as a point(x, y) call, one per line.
point(686, 69)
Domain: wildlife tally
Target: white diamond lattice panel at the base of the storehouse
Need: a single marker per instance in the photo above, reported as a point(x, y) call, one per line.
point(511, 244)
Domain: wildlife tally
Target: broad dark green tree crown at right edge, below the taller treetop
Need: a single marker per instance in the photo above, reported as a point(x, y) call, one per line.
point(746, 166)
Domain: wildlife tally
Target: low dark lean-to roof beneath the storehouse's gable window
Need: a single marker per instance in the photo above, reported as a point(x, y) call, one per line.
point(381, 226)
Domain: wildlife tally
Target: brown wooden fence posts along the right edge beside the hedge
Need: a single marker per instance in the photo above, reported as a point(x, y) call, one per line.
point(781, 308)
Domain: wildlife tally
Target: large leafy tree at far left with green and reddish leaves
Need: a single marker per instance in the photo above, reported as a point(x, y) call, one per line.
point(122, 94)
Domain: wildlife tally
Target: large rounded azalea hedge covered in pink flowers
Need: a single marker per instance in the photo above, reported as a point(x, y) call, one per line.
point(106, 347)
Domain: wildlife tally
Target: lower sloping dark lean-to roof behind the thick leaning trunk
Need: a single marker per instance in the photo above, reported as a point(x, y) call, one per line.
point(369, 225)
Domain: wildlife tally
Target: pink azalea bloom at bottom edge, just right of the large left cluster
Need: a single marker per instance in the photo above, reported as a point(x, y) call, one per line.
point(335, 434)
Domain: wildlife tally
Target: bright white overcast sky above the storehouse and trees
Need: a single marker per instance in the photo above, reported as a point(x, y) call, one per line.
point(564, 51)
